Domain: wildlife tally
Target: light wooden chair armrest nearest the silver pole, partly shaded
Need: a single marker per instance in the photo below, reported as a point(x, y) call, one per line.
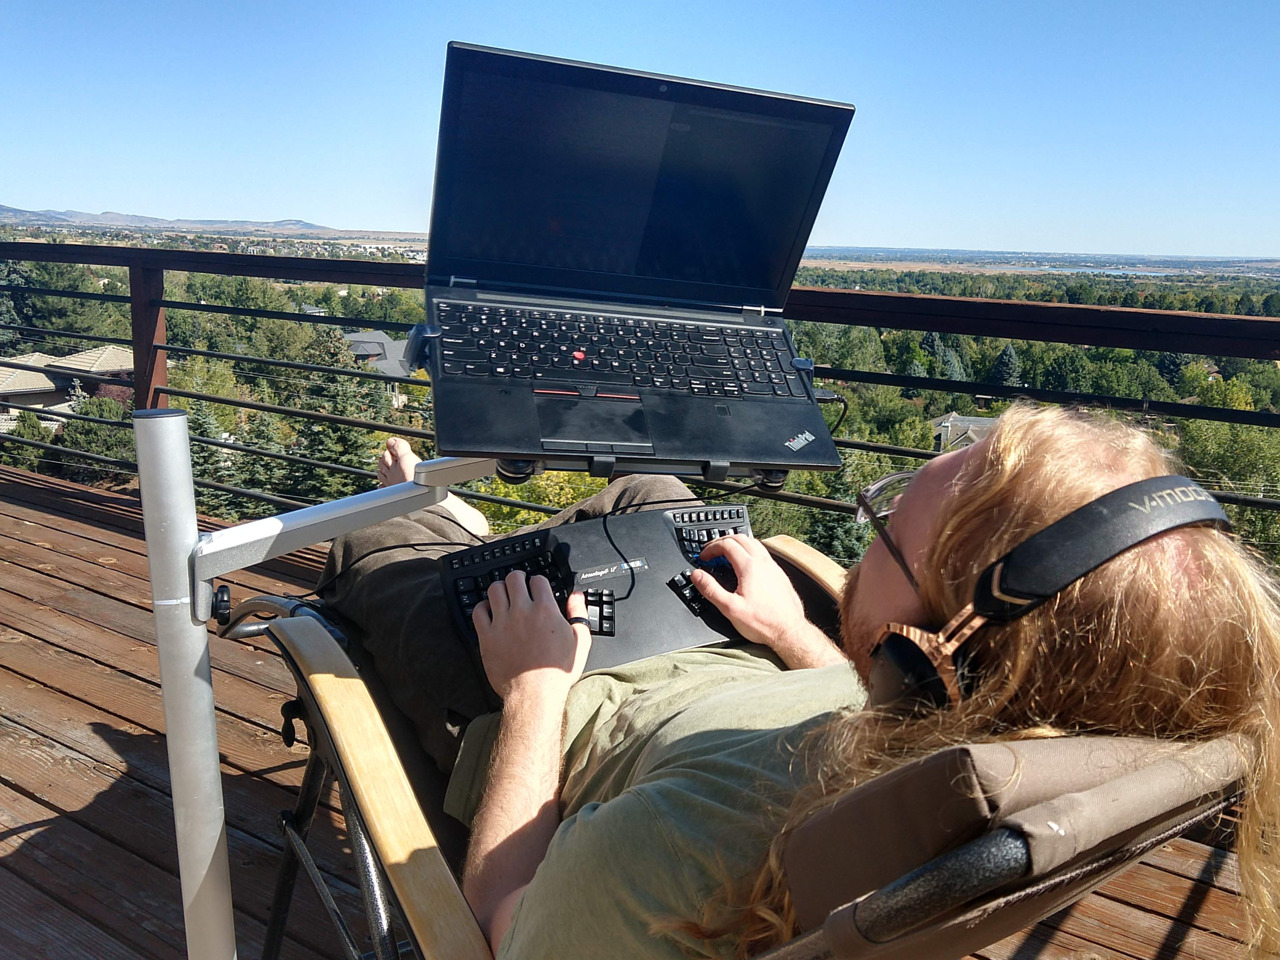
point(376, 784)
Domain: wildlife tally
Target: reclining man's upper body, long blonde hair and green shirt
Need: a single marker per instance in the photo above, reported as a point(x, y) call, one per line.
point(643, 811)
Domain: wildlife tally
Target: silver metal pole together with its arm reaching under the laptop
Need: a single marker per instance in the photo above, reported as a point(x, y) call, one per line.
point(184, 565)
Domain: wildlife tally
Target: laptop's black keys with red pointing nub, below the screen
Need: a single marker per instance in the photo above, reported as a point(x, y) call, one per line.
point(595, 354)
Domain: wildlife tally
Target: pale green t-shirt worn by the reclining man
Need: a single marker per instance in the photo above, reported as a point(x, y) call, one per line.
point(679, 771)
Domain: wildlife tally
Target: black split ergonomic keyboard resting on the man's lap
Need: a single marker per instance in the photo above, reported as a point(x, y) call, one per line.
point(633, 570)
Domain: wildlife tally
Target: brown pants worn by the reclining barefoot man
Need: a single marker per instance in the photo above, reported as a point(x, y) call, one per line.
point(385, 584)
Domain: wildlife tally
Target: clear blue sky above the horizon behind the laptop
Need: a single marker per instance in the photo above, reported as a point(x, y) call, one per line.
point(1082, 127)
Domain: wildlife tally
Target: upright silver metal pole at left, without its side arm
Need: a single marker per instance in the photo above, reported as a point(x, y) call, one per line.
point(186, 688)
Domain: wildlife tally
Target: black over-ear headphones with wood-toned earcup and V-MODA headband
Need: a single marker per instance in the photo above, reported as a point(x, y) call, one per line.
point(916, 668)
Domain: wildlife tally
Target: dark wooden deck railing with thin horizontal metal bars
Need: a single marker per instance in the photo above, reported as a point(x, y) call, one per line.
point(1256, 339)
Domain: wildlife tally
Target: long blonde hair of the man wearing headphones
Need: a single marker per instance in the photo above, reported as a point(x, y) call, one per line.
point(1176, 638)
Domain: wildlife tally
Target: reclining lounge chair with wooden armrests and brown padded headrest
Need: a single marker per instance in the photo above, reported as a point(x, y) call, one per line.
point(934, 861)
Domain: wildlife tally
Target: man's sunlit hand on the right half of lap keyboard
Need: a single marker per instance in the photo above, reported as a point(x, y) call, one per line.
point(765, 609)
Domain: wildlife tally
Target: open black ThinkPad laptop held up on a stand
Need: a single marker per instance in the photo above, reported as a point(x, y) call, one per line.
point(610, 255)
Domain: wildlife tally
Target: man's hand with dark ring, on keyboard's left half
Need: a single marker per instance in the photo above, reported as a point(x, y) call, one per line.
point(527, 644)
